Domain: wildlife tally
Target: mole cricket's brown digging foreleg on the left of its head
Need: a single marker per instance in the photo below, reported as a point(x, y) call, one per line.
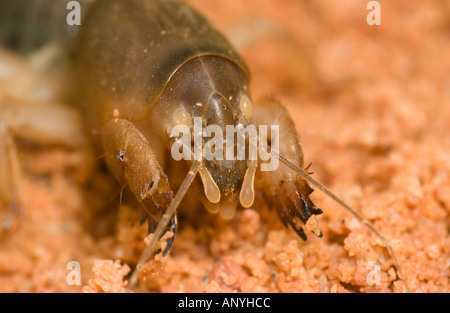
point(134, 162)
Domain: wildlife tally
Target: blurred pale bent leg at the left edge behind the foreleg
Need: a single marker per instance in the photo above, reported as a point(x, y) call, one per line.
point(44, 124)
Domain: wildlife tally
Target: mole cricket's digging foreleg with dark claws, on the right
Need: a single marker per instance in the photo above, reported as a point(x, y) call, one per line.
point(285, 189)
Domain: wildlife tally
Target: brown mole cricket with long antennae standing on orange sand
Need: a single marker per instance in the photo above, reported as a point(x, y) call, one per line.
point(150, 66)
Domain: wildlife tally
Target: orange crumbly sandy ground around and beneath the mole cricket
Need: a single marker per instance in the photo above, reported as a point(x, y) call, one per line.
point(372, 107)
